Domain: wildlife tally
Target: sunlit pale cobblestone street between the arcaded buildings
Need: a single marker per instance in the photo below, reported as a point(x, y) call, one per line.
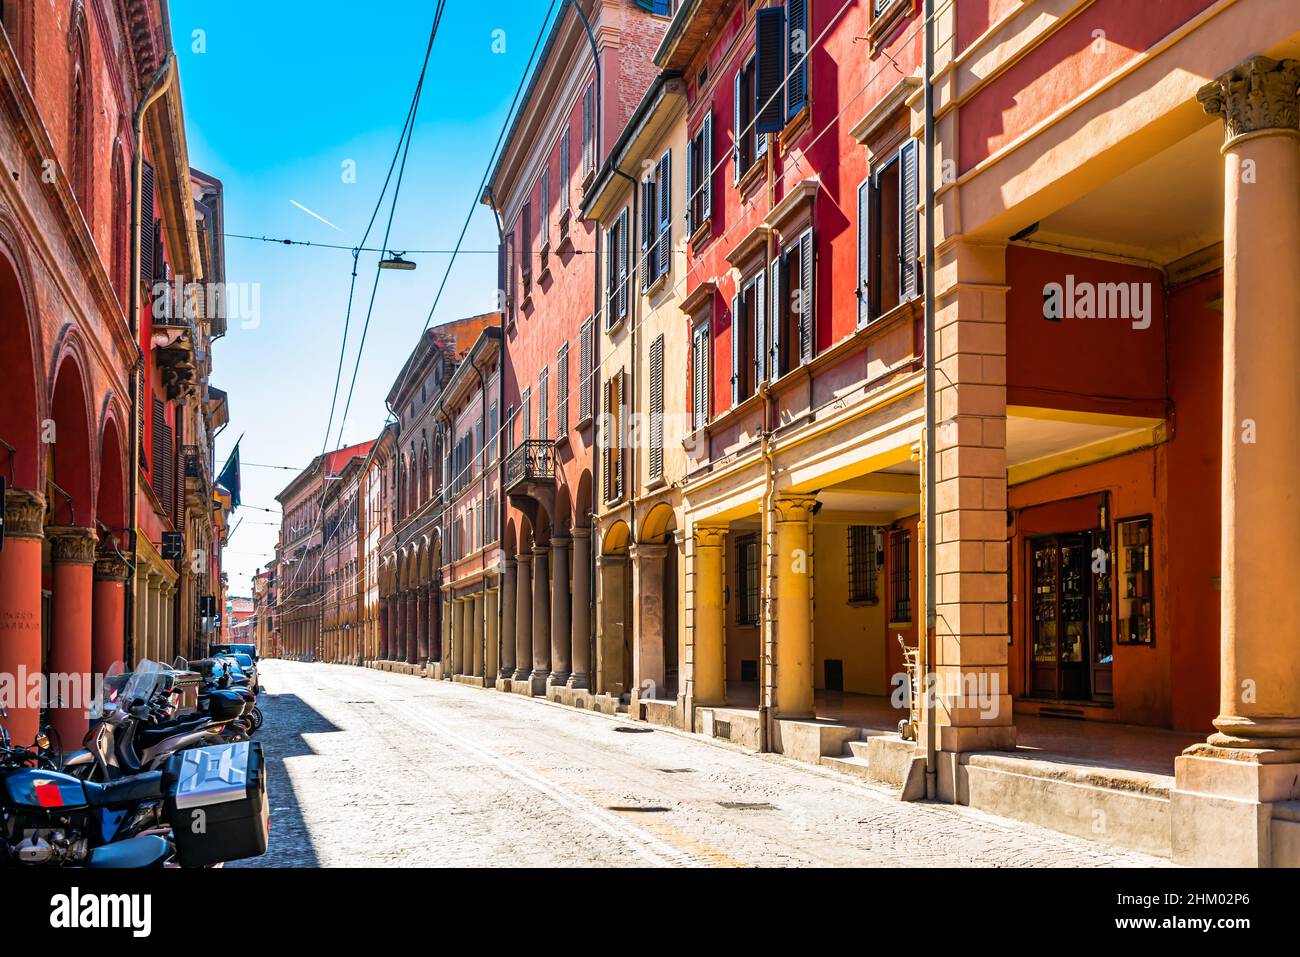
point(376, 769)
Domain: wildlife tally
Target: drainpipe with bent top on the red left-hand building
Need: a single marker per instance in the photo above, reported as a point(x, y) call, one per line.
point(158, 86)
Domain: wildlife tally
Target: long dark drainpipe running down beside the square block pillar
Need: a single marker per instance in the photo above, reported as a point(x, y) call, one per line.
point(931, 460)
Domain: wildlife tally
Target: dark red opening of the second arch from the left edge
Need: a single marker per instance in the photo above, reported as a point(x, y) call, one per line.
point(70, 454)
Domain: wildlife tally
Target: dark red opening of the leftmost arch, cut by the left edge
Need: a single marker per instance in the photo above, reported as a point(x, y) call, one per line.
point(24, 405)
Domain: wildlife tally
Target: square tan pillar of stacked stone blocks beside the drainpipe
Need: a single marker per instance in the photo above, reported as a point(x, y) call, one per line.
point(970, 503)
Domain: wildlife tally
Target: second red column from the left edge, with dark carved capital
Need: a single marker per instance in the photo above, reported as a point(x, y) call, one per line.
point(73, 566)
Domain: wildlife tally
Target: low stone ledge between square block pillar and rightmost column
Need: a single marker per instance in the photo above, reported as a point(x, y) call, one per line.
point(1119, 807)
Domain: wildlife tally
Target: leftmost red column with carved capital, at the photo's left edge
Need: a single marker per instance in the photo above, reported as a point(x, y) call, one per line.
point(20, 605)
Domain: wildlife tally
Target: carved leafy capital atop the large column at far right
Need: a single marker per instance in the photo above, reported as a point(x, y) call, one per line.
point(1258, 96)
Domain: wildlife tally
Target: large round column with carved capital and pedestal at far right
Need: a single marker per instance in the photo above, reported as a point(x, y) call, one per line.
point(1221, 807)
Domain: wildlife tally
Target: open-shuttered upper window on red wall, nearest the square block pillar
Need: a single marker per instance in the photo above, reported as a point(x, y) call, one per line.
point(890, 269)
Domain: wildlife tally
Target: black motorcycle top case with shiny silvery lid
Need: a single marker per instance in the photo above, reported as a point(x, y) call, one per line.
point(218, 803)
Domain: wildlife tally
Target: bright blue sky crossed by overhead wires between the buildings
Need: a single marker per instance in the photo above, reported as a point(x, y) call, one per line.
point(281, 97)
